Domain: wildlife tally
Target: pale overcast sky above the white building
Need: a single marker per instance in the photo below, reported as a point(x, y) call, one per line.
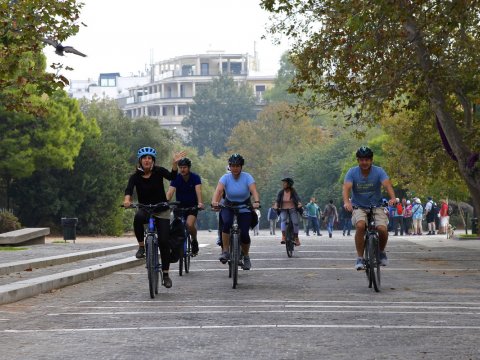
point(121, 38)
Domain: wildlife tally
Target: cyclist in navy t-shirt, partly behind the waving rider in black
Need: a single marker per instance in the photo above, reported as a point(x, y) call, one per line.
point(188, 189)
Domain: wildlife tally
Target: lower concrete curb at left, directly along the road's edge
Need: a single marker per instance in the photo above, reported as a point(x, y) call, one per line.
point(27, 288)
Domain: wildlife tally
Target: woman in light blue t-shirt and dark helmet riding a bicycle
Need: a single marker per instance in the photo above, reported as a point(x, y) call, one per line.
point(238, 187)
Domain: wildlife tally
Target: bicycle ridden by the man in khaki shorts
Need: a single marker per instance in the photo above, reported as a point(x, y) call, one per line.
point(372, 251)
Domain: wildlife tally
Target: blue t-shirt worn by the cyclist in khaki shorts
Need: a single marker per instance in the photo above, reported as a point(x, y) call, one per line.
point(366, 191)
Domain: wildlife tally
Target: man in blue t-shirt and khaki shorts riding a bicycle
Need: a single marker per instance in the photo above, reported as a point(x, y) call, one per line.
point(365, 182)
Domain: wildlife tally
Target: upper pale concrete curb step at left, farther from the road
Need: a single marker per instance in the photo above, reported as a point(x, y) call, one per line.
point(18, 266)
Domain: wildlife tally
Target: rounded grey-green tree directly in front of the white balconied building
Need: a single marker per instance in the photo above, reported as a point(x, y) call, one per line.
point(218, 108)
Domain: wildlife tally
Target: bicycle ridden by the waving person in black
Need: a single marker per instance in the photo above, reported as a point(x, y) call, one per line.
point(151, 244)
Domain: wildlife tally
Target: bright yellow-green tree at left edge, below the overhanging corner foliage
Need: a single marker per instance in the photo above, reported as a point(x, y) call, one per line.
point(29, 142)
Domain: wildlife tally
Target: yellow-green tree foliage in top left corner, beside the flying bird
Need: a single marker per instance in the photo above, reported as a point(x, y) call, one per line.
point(23, 26)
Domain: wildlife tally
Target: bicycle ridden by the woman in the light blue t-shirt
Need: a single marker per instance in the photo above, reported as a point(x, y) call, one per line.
point(235, 256)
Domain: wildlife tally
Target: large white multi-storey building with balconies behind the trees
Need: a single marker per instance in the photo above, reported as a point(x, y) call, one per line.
point(174, 82)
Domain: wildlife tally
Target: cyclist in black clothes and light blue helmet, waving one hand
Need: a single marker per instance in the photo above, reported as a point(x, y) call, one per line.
point(148, 182)
